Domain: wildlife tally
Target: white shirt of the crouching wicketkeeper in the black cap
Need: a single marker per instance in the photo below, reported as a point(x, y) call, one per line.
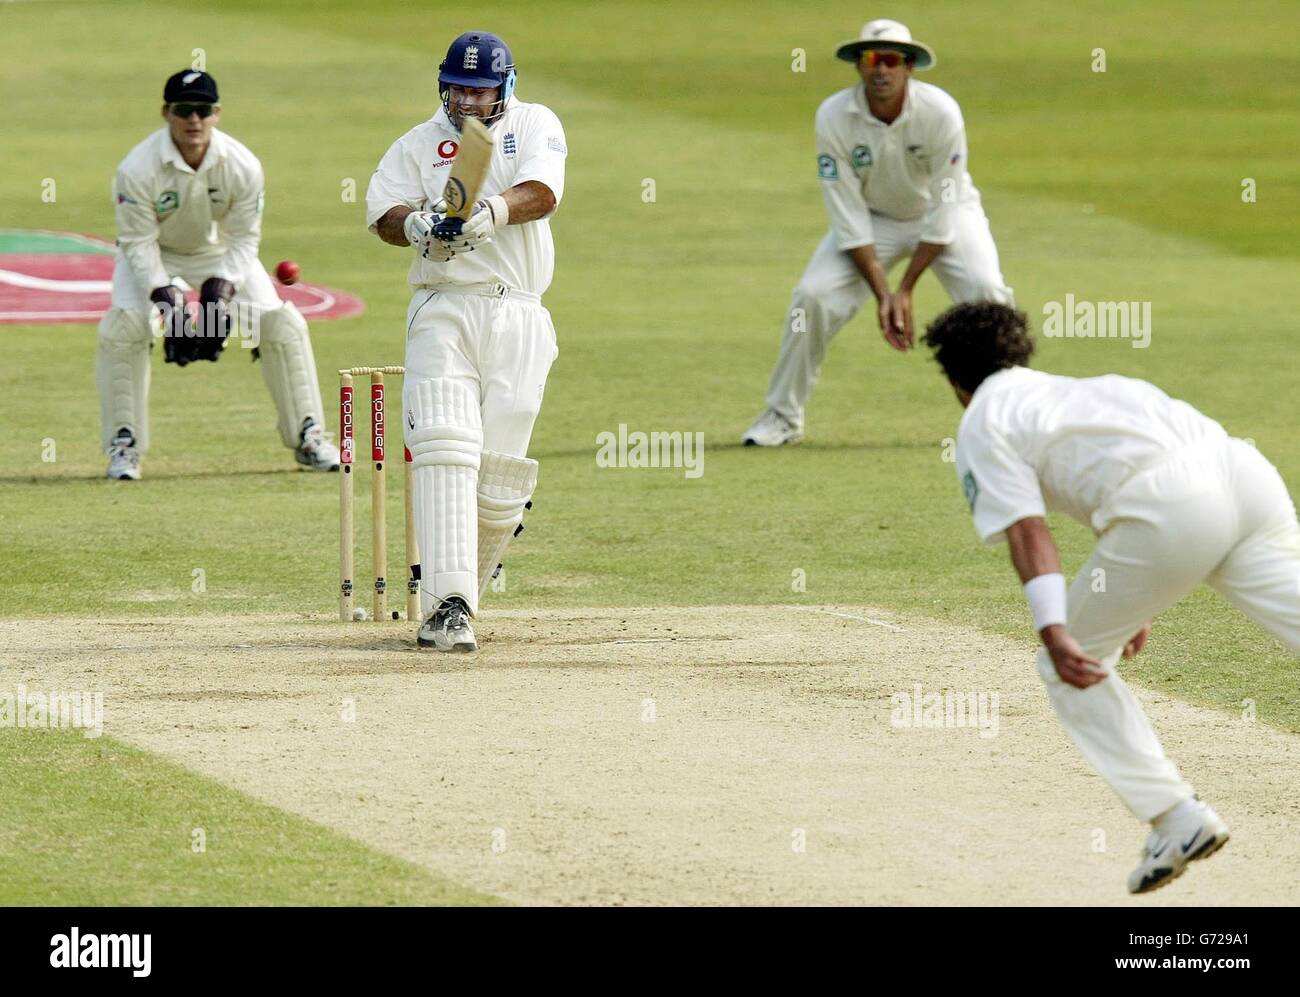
point(164, 205)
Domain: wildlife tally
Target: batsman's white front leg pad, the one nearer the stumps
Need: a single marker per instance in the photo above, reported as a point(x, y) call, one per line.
point(445, 439)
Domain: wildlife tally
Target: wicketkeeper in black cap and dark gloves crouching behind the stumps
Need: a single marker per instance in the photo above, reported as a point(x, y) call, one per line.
point(189, 206)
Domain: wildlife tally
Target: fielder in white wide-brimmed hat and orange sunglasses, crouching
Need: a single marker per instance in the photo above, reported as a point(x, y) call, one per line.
point(894, 168)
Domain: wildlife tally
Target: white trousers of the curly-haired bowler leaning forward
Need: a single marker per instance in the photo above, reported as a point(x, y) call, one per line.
point(1216, 513)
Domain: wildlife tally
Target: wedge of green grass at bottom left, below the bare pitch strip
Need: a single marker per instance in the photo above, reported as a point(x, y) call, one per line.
point(94, 822)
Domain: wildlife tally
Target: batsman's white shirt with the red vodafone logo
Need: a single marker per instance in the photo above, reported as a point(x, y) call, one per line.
point(528, 145)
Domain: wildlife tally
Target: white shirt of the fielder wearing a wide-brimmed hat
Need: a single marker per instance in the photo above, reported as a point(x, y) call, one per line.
point(912, 168)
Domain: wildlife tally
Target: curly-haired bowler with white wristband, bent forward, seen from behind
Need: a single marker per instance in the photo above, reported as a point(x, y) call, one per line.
point(1173, 501)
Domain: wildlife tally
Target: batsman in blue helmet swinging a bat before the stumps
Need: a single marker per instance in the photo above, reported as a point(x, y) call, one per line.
point(480, 344)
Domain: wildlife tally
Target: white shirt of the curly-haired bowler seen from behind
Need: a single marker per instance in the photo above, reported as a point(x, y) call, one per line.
point(1033, 443)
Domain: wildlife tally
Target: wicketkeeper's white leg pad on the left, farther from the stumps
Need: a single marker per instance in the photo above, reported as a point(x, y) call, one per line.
point(123, 375)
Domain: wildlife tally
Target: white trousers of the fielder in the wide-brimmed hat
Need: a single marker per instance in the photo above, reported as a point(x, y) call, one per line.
point(833, 291)
